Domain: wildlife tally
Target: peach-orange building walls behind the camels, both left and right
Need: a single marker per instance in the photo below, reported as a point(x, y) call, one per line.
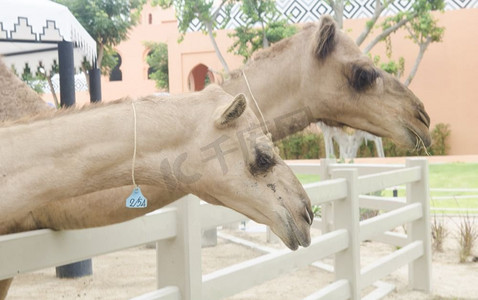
point(446, 81)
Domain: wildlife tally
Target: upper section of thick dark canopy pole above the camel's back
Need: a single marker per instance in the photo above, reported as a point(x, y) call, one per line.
point(67, 73)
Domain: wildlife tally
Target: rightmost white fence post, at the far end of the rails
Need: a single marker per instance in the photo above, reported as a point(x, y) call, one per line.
point(419, 271)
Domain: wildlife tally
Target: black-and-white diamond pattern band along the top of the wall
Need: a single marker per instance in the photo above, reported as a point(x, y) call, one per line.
point(301, 11)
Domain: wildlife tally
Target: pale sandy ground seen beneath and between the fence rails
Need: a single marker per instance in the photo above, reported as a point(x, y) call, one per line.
point(131, 272)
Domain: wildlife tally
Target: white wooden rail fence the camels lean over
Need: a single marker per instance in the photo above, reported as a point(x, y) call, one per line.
point(177, 230)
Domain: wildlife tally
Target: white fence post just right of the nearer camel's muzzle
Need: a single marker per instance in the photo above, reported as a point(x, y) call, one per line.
point(346, 216)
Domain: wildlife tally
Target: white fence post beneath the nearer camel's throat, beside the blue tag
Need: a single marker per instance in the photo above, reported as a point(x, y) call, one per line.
point(179, 259)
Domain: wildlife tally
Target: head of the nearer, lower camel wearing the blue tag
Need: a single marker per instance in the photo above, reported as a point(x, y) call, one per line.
point(241, 170)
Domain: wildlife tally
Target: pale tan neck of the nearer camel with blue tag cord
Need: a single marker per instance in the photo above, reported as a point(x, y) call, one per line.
point(94, 148)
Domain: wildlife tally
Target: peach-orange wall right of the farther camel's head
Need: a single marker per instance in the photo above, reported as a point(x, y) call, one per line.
point(446, 80)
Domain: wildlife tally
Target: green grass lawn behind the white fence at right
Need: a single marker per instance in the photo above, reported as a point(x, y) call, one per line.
point(450, 176)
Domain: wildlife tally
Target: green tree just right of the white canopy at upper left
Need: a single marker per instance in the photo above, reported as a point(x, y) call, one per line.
point(108, 22)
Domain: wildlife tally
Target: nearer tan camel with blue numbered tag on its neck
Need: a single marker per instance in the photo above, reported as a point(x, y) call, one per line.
point(177, 141)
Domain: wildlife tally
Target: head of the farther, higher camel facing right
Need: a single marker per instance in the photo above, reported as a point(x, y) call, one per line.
point(346, 88)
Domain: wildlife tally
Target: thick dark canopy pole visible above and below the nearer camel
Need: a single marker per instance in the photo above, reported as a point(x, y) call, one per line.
point(67, 98)
